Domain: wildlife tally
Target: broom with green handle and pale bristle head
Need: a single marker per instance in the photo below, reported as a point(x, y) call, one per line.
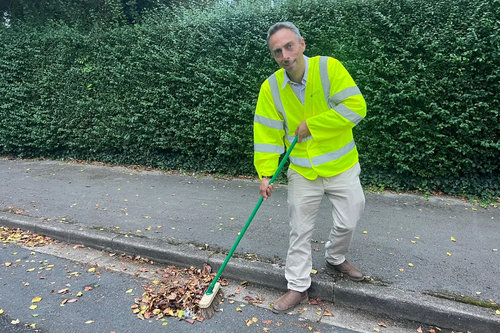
point(213, 296)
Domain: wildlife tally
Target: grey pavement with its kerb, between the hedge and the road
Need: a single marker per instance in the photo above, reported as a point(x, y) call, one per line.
point(188, 220)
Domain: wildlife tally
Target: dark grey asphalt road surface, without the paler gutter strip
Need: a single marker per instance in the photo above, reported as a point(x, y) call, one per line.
point(107, 307)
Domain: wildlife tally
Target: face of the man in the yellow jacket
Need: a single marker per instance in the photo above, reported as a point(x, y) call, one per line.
point(287, 50)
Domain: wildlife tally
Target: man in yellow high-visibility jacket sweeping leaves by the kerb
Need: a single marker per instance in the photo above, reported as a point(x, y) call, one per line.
point(317, 100)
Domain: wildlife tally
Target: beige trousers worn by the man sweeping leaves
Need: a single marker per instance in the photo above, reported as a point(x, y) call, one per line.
point(304, 197)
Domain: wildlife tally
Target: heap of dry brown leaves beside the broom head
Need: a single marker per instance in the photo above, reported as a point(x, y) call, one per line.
point(177, 295)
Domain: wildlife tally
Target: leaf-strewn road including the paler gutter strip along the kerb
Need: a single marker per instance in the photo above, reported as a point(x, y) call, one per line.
point(26, 273)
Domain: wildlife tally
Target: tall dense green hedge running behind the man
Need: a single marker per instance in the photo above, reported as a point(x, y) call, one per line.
point(179, 90)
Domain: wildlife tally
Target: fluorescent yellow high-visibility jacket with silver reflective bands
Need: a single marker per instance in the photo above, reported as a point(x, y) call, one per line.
point(333, 106)
